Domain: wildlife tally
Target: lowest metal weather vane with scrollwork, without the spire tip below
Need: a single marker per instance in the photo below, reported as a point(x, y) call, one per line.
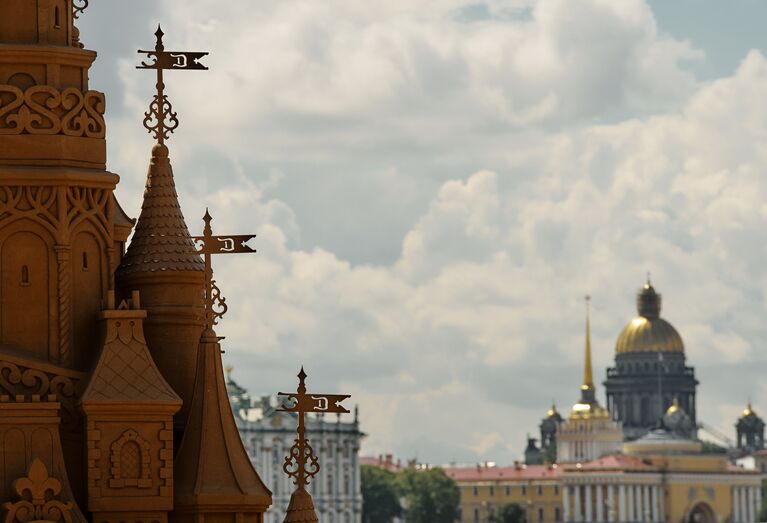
point(302, 465)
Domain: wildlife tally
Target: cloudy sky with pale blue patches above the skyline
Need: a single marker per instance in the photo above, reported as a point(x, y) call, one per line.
point(436, 184)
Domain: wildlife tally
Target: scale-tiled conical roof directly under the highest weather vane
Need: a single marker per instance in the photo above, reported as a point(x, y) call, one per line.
point(162, 241)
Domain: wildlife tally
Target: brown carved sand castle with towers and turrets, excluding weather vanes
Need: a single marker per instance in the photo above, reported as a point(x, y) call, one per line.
point(112, 396)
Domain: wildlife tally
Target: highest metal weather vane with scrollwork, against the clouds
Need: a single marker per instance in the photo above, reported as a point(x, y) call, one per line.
point(161, 120)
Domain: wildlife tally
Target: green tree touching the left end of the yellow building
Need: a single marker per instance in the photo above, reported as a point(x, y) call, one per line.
point(430, 496)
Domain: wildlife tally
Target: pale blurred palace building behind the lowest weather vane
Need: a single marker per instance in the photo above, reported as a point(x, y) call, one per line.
point(268, 436)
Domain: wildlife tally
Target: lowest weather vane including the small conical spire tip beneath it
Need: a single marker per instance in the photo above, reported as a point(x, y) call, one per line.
point(302, 465)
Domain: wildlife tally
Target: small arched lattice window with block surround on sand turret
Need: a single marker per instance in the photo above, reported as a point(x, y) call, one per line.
point(130, 458)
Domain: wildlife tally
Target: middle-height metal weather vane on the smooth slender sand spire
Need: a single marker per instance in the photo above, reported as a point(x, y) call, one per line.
point(208, 245)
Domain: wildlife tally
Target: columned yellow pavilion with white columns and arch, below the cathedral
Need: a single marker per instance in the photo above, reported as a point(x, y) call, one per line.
point(661, 477)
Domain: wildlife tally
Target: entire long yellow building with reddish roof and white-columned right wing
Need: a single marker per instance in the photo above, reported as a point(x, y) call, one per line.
point(658, 479)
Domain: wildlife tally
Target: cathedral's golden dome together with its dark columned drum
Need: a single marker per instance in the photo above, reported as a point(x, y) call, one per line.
point(650, 370)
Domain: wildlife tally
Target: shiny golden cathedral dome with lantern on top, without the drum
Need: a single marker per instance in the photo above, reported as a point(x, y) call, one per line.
point(648, 332)
